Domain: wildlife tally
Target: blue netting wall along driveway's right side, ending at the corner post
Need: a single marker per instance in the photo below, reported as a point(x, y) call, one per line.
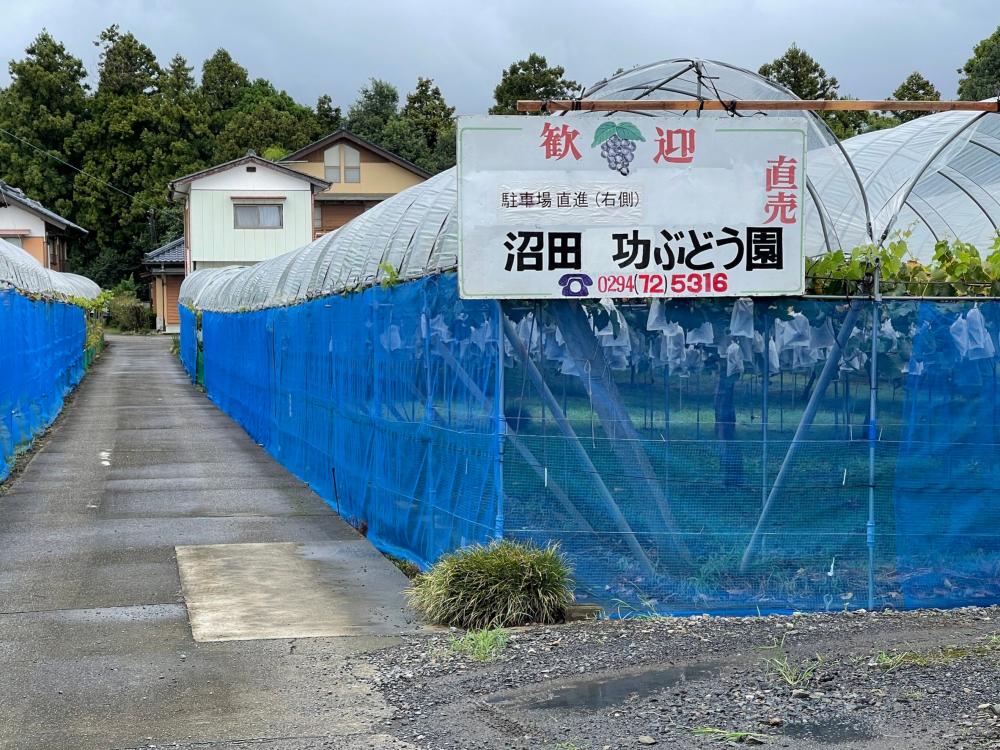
point(384, 402)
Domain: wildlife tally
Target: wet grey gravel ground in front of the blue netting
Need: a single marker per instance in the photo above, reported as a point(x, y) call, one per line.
point(923, 679)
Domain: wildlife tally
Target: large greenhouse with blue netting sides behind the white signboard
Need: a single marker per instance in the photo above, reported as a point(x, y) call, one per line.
point(688, 456)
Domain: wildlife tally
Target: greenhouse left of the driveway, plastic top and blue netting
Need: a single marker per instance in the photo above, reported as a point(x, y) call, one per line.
point(45, 328)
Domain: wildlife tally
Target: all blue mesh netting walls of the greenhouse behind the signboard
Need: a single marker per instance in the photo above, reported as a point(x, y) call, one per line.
point(637, 436)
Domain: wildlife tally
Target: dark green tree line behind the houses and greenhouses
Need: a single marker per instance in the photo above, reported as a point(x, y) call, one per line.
point(103, 155)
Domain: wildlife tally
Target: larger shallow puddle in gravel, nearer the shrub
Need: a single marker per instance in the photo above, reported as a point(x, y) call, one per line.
point(612, 689)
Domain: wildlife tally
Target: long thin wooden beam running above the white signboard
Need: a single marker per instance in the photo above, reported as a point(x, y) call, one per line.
point(812, 105)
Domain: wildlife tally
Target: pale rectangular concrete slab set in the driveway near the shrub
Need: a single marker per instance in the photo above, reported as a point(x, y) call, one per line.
point(290, 590)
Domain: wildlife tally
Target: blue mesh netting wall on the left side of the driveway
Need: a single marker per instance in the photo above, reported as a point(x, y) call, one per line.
point(43, 342)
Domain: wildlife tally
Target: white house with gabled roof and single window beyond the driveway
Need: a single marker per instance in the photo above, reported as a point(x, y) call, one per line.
point(244, 211)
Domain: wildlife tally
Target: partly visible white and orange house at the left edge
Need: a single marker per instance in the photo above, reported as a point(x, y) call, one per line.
point(31, 226)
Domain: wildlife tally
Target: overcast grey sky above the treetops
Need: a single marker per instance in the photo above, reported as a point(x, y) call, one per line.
point(312, 47)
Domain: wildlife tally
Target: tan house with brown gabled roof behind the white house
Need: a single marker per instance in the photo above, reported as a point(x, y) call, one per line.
point(360, 175)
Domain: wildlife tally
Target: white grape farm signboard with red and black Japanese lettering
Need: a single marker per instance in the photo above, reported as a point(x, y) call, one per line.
point(630, 206)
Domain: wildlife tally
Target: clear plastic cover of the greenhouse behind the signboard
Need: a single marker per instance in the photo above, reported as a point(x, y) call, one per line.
point(937, 177)
